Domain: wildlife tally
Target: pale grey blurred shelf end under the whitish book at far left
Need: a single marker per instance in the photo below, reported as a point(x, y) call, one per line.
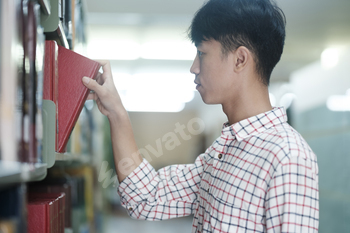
point(17, 172)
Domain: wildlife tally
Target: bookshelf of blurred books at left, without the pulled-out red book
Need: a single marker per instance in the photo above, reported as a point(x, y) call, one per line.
point(29, 162)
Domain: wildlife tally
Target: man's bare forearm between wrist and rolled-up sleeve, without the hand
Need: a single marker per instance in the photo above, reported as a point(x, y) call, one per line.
point(125, 151)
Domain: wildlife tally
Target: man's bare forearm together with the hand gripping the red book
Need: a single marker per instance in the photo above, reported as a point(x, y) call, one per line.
point(126, 155)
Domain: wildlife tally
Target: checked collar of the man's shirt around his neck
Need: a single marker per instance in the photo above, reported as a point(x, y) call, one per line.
point(256, 124)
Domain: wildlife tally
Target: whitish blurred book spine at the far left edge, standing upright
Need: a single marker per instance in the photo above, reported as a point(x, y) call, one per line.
point(11, 67)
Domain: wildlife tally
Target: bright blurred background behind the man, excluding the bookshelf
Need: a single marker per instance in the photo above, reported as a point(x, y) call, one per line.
point(147, 44)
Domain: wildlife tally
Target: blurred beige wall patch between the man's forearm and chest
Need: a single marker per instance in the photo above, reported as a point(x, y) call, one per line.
point(156, 134)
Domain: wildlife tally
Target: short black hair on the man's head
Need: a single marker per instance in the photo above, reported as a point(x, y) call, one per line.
point(259, 25)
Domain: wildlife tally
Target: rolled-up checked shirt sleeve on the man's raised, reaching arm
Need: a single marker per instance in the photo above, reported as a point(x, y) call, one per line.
point(171, 192)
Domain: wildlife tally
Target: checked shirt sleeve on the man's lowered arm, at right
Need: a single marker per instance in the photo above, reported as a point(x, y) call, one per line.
point(292, 202)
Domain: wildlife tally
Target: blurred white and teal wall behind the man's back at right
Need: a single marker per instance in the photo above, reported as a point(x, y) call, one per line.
point(328, 134)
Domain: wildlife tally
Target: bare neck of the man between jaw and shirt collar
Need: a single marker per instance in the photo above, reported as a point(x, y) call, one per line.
point(250, 104)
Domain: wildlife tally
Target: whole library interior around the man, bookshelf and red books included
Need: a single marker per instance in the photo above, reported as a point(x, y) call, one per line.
point(57, 171)
